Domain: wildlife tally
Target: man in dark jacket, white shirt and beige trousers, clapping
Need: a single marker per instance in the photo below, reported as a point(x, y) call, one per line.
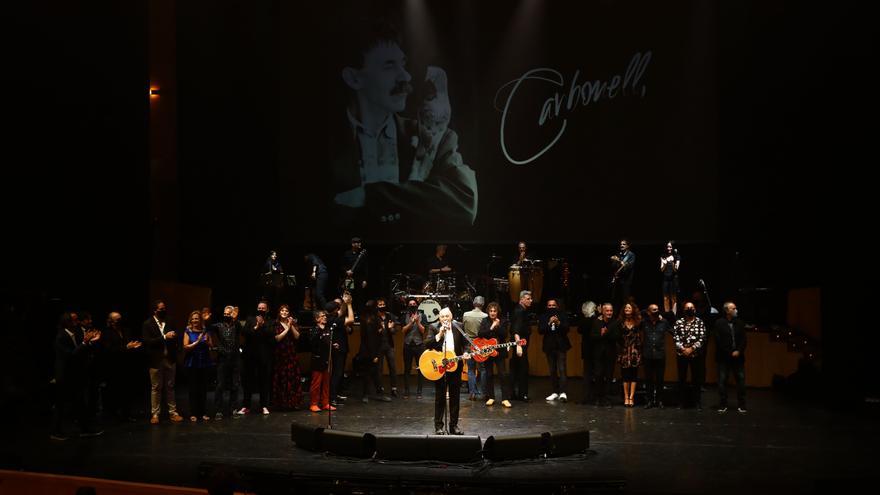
point(162, 344)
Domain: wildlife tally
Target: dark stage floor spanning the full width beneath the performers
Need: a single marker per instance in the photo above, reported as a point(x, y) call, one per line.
point(778, 445)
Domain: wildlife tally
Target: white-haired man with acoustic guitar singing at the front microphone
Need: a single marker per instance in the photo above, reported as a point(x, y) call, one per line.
point(447, 336)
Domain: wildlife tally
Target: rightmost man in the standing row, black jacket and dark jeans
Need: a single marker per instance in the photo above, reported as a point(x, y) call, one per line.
point(730, 340)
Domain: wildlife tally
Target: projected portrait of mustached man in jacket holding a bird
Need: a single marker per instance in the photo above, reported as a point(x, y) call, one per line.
point(389, 169)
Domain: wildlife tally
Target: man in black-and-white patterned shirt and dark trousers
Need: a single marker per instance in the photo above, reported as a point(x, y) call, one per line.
point(689, 335)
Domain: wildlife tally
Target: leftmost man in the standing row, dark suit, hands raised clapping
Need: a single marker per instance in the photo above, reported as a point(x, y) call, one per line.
point(74, 351)
